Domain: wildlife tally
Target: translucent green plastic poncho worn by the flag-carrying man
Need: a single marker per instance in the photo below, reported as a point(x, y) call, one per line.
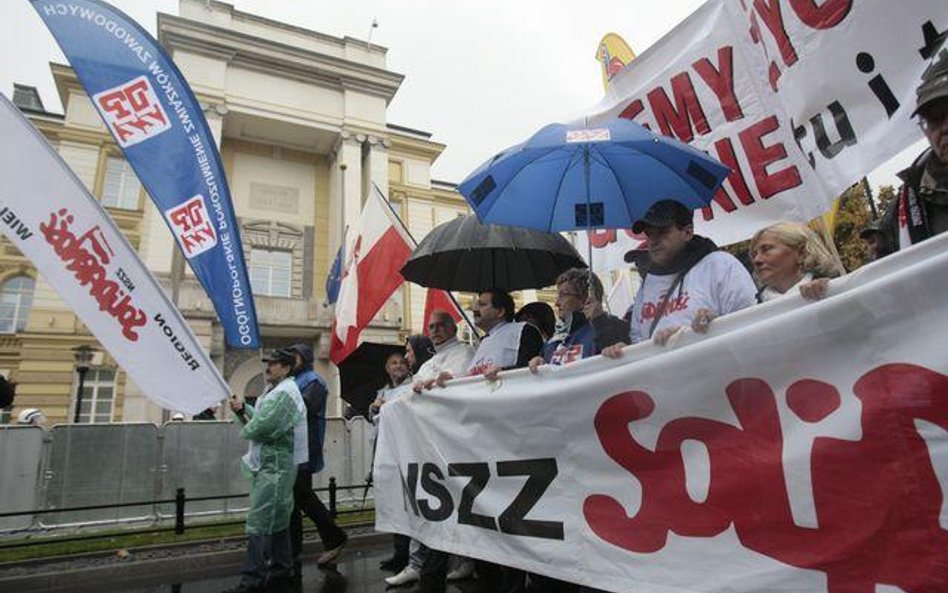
point(268, 464)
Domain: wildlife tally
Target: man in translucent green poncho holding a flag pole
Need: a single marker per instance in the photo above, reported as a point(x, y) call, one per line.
point(269, 465)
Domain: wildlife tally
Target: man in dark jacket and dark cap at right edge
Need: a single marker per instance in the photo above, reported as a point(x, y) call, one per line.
point(921, 209)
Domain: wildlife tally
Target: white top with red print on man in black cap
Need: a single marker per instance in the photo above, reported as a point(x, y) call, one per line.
point(718, 282)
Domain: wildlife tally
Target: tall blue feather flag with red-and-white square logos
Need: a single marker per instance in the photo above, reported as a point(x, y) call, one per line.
point(157, 122)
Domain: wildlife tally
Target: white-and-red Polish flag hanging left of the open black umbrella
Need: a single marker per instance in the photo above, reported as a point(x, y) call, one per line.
point(379, 250)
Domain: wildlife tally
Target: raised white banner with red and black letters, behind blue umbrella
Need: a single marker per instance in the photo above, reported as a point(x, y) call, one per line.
point(799, 98)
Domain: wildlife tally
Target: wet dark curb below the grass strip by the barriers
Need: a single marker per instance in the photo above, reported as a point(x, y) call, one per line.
point(141, 572)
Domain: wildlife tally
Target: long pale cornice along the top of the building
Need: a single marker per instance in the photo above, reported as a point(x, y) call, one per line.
point(263, 55)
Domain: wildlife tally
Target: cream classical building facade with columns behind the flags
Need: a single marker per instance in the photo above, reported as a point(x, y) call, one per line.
point(301, 122)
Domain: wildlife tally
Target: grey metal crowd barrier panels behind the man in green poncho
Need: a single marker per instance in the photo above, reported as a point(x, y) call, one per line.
point(83, 475)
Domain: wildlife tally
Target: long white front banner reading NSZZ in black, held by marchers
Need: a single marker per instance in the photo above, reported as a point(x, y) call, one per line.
point(799, 447)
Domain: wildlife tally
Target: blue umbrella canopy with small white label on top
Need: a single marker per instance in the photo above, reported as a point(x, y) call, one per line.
point(569, 177)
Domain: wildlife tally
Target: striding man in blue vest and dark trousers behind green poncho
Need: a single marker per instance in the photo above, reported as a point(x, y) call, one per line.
point(314, 392)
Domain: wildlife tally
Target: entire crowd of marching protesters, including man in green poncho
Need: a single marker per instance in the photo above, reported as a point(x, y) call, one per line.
point(687, 282)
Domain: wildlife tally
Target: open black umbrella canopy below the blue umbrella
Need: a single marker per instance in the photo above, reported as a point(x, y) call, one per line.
point(469, 256)
